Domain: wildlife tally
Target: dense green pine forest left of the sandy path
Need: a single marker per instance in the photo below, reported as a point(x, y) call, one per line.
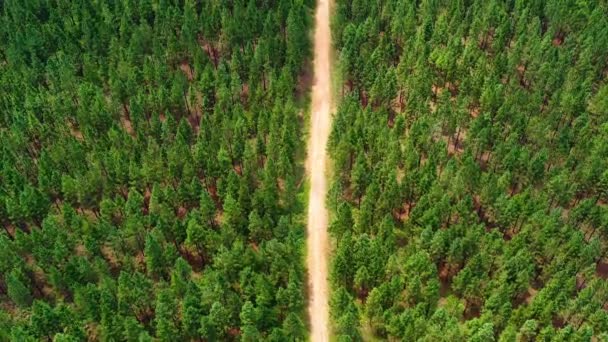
point(150, 170)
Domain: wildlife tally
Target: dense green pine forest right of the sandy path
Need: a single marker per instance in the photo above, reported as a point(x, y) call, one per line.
point(470, 183)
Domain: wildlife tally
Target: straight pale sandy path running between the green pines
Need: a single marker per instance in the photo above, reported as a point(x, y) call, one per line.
point(318, 249)
